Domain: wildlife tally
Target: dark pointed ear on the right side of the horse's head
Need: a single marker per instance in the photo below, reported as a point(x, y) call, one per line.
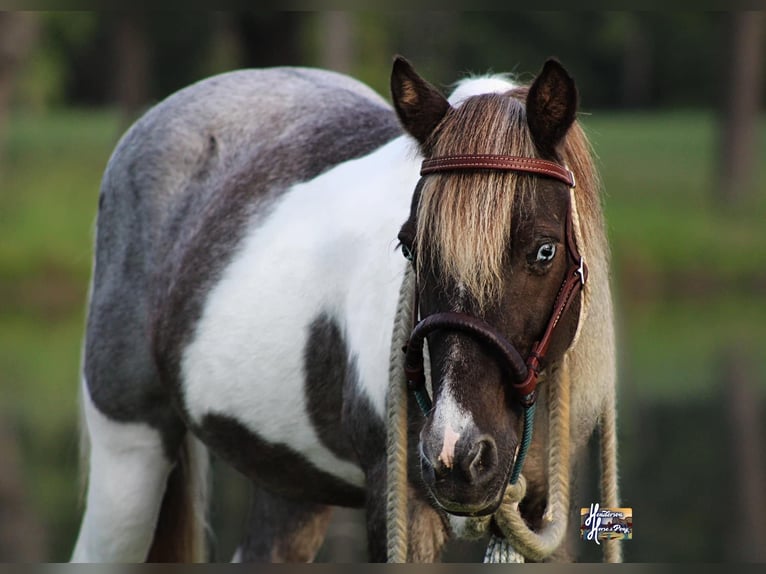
point(551, 107)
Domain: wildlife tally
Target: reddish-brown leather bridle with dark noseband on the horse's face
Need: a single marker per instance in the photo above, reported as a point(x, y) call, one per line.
point(523, 373)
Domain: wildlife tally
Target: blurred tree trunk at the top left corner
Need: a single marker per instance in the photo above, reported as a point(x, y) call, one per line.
point(18, 32)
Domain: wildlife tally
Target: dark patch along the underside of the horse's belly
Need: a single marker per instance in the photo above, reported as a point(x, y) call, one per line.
point(276, 467)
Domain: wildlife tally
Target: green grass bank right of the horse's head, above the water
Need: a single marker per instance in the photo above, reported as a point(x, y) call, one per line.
point(661, 206)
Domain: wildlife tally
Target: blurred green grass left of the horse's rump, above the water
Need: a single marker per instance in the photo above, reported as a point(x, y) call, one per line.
point(51, 177)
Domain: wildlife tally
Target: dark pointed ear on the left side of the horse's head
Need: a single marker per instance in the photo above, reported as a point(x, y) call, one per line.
point(418, 104)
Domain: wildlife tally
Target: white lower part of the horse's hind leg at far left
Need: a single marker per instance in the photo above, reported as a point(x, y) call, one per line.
point(127, 475)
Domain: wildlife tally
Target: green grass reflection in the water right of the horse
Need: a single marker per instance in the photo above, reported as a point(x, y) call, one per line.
point(673, 351)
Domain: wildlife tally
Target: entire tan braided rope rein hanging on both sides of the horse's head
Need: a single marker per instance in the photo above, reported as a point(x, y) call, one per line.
point(520, 542)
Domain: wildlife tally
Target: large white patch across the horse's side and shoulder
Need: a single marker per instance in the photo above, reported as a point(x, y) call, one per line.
point(327, 247)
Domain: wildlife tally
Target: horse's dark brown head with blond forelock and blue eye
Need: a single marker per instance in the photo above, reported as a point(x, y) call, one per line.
point(492, 247)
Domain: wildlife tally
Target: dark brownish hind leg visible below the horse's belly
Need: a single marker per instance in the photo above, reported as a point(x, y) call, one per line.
point(282, 530)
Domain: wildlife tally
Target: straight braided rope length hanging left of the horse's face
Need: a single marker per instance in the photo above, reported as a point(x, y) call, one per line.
point(396, 426)
